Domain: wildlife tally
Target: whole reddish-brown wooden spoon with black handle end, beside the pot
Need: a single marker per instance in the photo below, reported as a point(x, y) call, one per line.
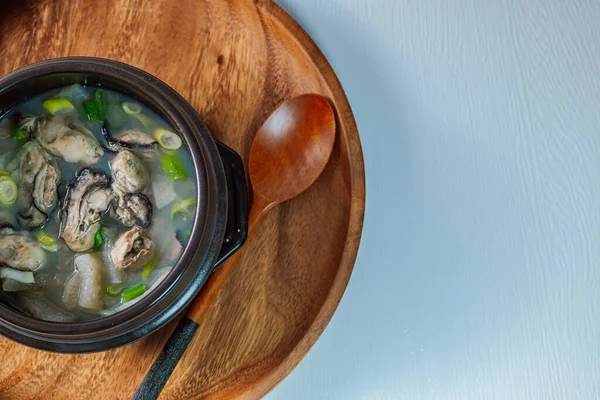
point(288, 154)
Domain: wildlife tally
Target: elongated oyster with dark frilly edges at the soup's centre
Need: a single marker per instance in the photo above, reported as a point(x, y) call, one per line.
point(87, 199)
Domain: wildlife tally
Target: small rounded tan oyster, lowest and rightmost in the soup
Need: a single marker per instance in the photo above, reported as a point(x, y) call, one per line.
point(133, 249)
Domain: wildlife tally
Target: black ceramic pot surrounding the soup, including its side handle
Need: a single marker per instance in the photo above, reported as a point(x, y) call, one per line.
point(220, 226)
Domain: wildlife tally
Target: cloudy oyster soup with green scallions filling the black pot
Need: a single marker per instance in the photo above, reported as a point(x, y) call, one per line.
point(97, 200)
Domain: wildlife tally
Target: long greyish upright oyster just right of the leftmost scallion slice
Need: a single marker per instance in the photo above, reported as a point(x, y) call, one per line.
point(40, 177)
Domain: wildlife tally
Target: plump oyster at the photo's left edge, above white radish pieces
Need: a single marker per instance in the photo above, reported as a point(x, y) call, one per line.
point(22, 253)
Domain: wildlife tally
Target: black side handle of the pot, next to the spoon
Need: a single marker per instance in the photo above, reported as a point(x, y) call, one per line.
point(236, 231)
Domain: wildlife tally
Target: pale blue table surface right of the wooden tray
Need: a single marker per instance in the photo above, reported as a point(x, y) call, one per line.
point(478, 275)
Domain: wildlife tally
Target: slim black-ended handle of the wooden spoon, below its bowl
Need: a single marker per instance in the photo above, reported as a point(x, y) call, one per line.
point(175, 347)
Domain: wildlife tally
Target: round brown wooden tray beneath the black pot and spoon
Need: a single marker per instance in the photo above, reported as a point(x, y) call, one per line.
point(234, 61)
